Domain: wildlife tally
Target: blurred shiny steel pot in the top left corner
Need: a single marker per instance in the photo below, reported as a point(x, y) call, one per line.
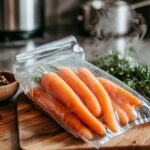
point(22, 18)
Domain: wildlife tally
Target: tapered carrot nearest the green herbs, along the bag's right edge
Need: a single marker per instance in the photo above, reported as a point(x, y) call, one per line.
point(116, 92)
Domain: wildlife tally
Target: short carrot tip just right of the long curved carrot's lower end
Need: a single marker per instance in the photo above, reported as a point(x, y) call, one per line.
point(122, 116)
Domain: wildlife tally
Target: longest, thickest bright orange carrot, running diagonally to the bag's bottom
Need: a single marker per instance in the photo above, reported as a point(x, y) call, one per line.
point(56, 86)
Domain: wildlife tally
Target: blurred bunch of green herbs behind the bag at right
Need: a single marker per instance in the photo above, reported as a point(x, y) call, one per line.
point(127, 70)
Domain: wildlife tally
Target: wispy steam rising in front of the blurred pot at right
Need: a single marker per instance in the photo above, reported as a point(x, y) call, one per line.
point(118, 28)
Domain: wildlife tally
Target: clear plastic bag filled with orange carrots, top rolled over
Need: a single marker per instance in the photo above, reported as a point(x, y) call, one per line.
point(86, 101)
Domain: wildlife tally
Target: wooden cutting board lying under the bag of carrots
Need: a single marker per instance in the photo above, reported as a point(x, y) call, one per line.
point(37, 131)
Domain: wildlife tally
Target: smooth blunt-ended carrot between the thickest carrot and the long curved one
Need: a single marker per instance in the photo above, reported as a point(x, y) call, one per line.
point(81, 90)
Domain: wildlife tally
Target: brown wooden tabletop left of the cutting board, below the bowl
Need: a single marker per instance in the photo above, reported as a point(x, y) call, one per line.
point(8, 126)
